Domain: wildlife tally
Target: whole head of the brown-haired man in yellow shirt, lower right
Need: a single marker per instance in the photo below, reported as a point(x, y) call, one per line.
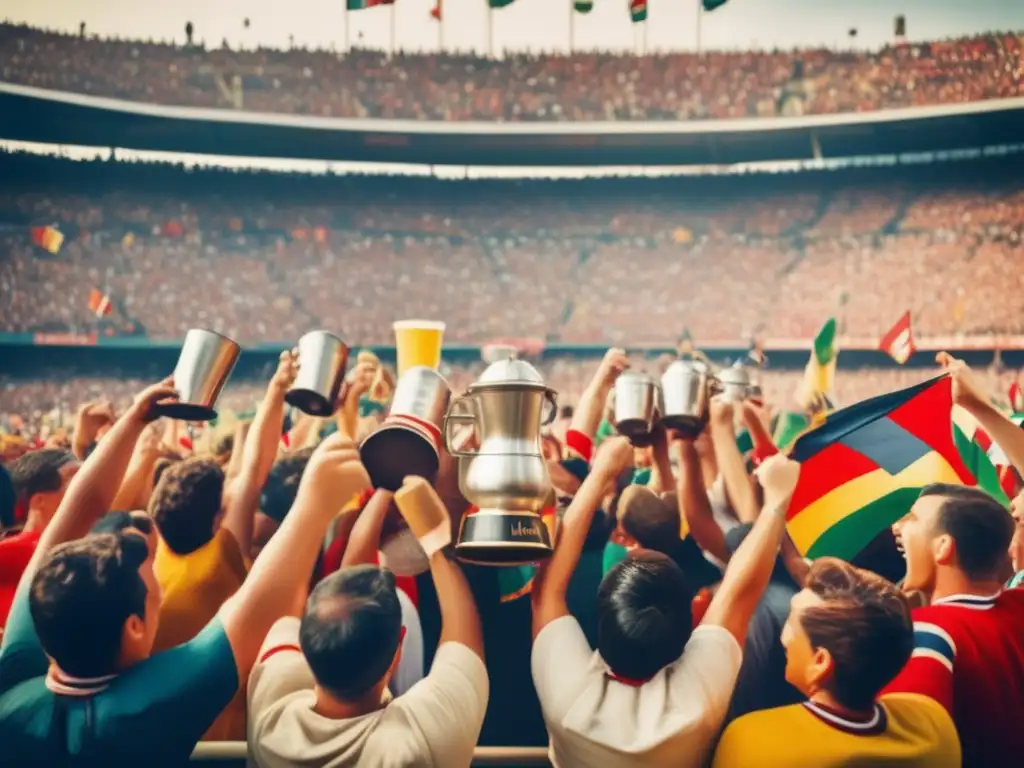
point(849, 633)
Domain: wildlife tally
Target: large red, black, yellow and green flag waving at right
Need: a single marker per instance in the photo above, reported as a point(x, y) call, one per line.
point(864, 467)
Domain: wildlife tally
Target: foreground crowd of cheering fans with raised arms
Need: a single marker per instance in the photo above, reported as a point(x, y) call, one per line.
point(156, 592)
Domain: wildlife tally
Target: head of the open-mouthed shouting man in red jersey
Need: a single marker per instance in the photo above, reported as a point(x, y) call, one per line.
point(957, 530)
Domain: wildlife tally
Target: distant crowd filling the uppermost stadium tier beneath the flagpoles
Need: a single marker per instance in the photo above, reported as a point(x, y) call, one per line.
point(583, 87)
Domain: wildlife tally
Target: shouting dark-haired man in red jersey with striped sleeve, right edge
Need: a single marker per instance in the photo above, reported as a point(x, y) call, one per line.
point(969, 642)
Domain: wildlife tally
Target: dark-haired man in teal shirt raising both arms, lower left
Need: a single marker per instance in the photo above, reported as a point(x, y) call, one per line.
point(78, 685)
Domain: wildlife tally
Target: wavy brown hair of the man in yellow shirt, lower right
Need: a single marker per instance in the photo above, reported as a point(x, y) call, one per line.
point(865, 623)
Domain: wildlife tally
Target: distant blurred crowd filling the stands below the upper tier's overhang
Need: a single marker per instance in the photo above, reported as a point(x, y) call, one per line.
point(601, 262)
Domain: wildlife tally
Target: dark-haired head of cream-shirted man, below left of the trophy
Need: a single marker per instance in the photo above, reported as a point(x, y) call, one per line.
point(352, 629)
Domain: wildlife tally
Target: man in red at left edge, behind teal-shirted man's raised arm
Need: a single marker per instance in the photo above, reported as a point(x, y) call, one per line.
point(40, 480)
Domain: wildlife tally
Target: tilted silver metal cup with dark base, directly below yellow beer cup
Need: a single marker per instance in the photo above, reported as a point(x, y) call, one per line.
point(409, 442)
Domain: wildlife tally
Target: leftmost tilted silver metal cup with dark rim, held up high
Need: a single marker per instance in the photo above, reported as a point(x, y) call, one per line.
point(204, 366)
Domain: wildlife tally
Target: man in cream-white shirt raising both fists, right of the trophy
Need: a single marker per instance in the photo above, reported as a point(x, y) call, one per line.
point(655, 694)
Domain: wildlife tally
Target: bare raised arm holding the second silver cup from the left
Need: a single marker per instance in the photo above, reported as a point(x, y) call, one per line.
point(242, 495)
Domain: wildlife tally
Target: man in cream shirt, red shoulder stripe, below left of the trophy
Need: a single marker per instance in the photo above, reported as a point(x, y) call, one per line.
point(319, 694)
